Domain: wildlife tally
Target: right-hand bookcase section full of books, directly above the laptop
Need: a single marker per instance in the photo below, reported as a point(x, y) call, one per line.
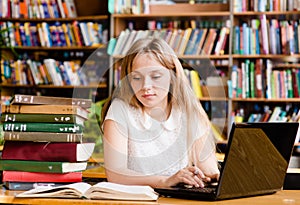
point(273, 50)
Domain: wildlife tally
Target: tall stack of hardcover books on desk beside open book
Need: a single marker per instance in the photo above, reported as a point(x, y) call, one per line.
point(44, 141)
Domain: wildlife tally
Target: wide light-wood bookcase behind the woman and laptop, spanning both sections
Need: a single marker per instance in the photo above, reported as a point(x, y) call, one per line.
point(183, 15)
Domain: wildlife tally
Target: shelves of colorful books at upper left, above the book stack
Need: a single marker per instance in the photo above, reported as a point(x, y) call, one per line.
point(64, 32)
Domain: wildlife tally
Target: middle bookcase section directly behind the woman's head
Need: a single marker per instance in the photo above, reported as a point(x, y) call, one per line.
point(179, 21)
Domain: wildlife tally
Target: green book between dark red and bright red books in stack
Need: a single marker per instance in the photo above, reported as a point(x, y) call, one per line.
point(42, 166)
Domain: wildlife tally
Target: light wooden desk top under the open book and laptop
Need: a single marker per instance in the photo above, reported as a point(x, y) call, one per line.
point(287, 197)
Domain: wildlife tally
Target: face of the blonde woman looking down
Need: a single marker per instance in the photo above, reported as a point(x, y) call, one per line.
point(150, 82)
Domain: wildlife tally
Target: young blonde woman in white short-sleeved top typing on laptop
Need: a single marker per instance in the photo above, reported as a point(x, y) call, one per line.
point(155, 130)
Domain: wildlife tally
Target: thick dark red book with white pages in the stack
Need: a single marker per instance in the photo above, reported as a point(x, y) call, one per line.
point(47, 151)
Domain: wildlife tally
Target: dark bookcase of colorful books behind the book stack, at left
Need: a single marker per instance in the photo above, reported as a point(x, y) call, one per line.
point(75, 42)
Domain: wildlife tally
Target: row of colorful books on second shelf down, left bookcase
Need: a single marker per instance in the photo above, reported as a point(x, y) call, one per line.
point(53, 34)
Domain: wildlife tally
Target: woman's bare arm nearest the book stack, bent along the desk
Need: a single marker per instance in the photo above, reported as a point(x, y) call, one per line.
point(116, 155)
